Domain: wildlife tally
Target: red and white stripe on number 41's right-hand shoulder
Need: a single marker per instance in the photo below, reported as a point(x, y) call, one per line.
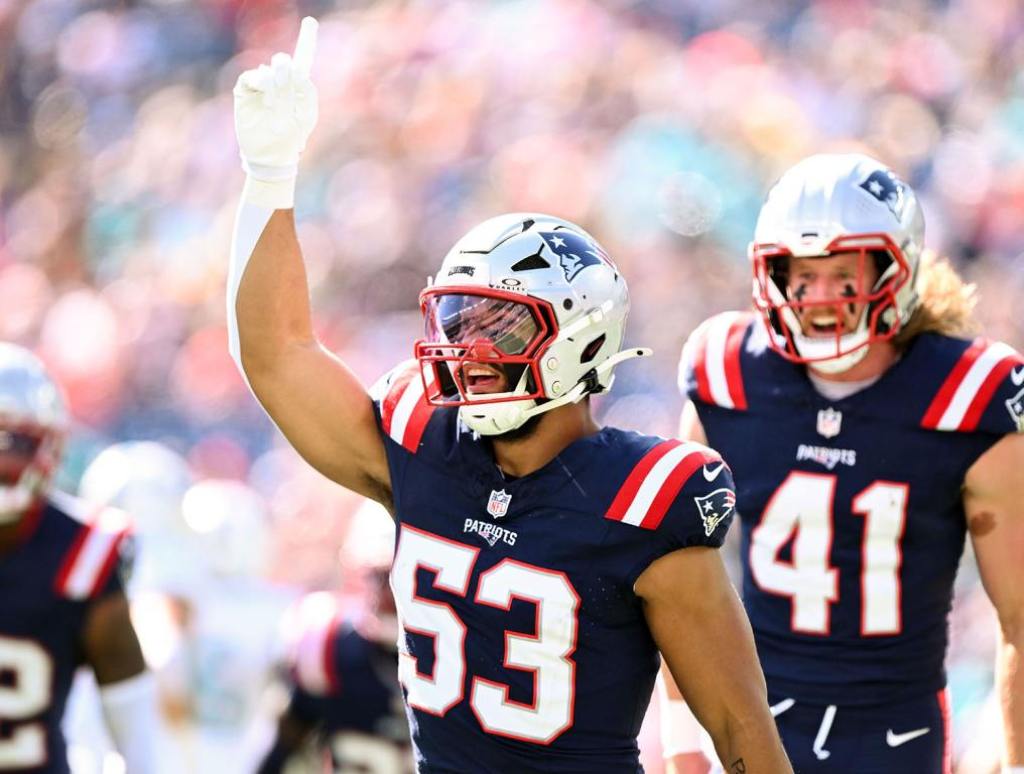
point(969, 389)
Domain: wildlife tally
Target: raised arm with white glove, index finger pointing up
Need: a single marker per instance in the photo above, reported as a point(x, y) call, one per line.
point(319, 404)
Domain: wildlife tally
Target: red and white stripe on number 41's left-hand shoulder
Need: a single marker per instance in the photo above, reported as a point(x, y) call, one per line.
point(714, 354)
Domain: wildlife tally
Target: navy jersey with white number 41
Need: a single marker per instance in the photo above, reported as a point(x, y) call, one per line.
point(851, 510)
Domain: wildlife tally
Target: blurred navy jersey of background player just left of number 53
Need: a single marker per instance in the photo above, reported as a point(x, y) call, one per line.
point(347, 687)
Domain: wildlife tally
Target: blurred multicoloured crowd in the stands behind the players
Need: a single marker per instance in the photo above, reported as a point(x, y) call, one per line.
point(657, 124)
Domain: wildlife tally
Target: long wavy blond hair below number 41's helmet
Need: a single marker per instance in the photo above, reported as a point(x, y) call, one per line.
point(947, 303)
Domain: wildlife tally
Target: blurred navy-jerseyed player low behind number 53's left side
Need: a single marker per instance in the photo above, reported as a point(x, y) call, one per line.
point(343, 664)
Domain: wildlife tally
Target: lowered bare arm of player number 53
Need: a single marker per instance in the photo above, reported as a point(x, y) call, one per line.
point(709, 649)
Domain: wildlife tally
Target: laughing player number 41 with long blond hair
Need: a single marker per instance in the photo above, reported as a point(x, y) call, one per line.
point(869, 437)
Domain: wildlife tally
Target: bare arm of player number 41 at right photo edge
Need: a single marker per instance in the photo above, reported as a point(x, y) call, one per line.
point(994, 499)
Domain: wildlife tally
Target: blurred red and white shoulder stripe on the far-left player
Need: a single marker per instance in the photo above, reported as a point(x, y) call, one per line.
point(92, 560)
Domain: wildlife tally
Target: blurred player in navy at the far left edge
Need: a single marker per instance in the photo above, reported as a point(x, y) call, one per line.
point(64, 605)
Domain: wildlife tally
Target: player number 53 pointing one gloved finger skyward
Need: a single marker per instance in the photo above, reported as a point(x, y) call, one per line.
point(540, 558)
